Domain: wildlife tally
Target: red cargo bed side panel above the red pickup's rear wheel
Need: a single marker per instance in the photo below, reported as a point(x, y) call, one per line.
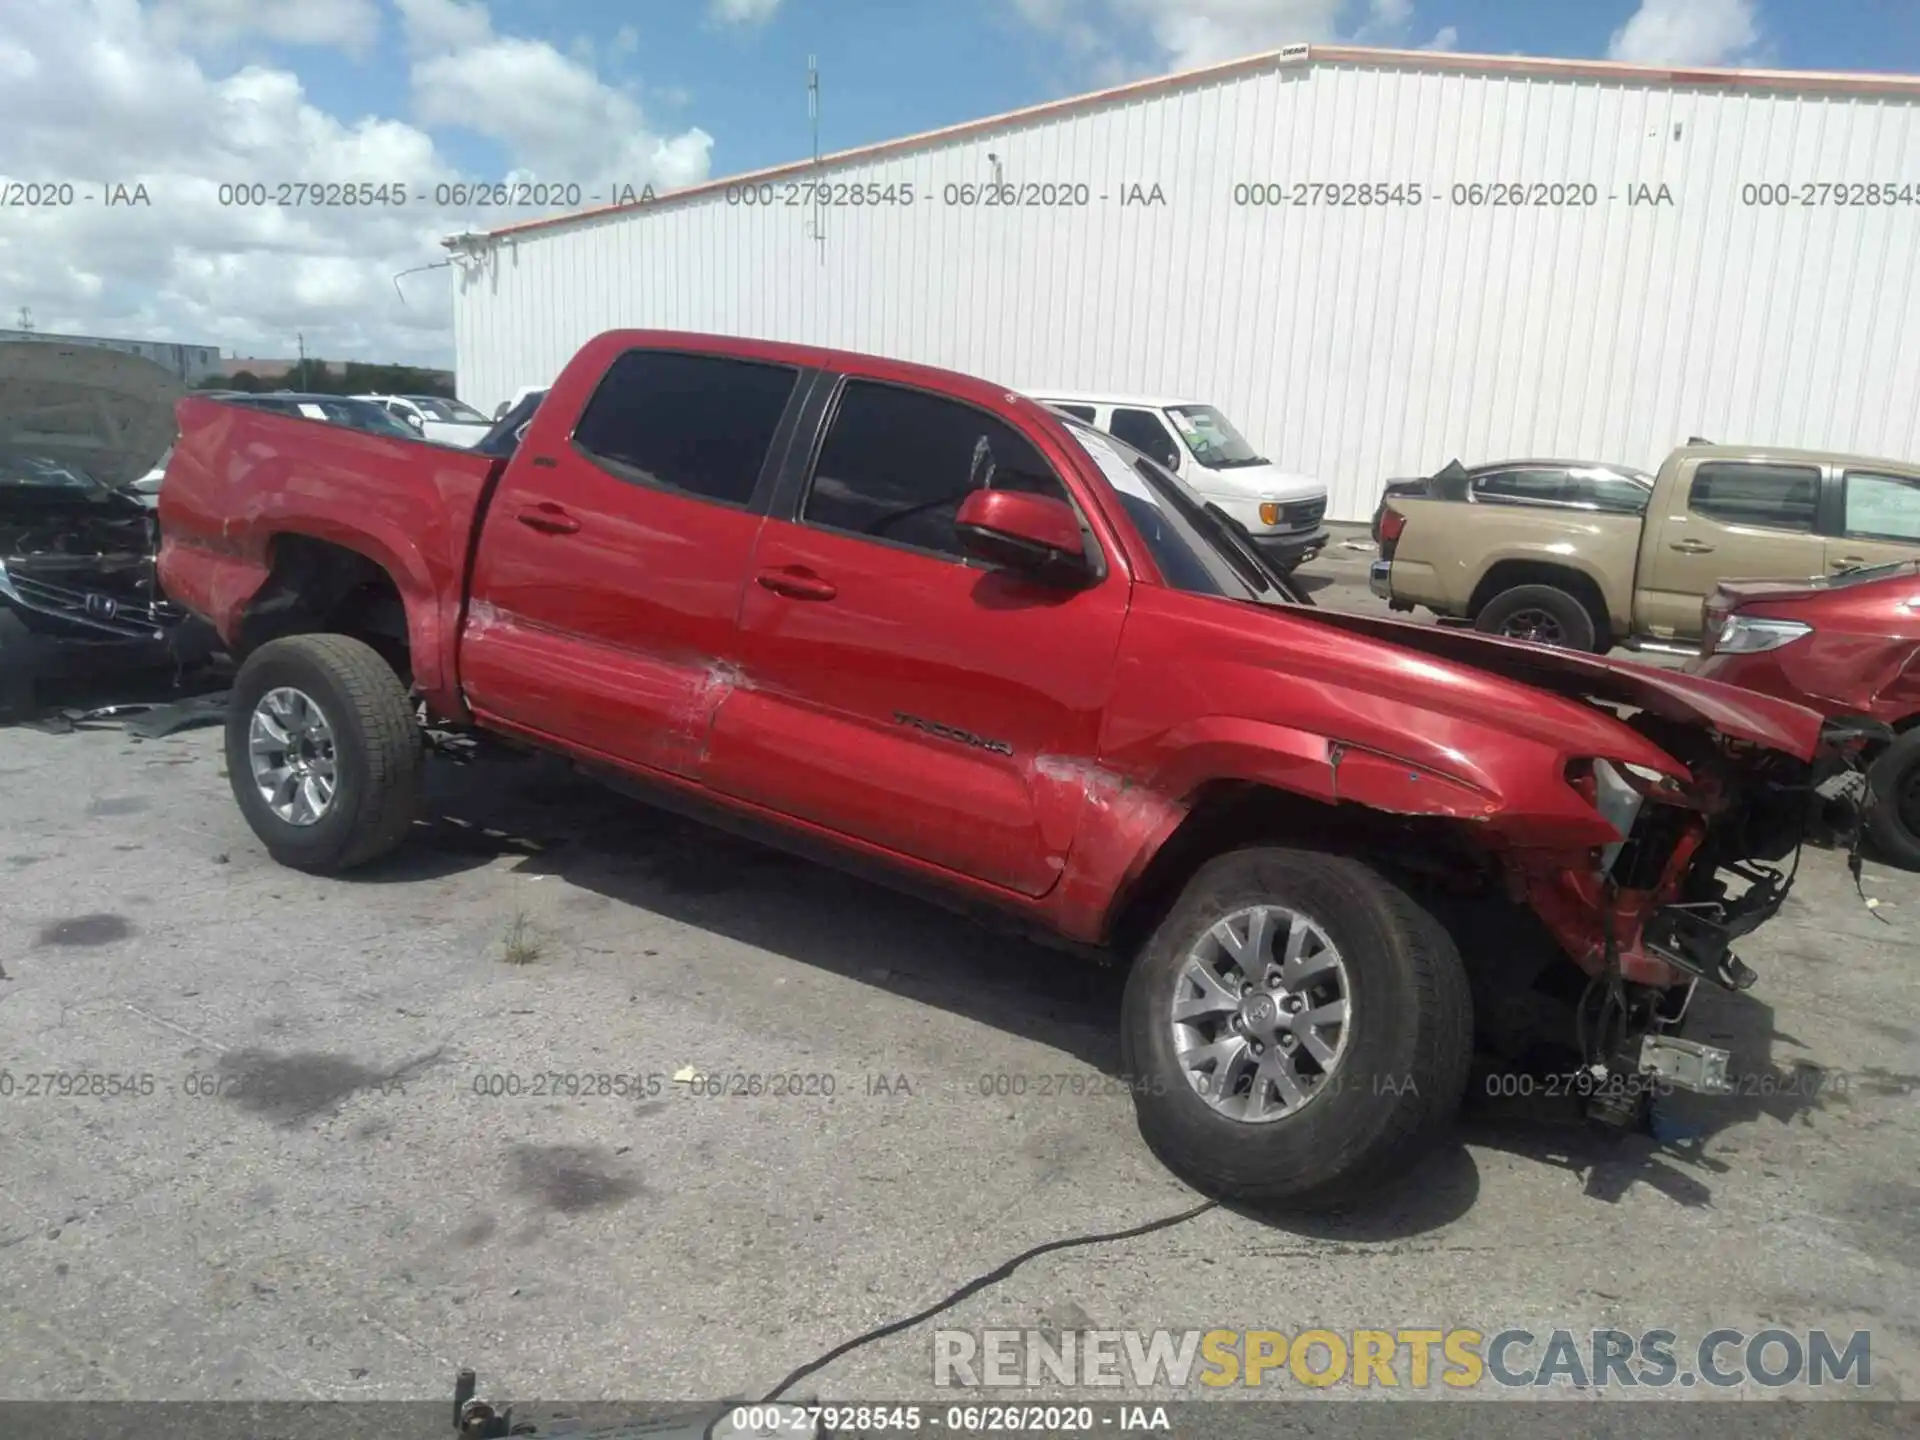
point(241, 479)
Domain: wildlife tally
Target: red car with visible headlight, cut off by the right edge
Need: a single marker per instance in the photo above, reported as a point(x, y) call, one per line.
point(1846, 644)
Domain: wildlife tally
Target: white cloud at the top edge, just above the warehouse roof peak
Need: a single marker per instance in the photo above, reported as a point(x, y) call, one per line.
point(1193, 34)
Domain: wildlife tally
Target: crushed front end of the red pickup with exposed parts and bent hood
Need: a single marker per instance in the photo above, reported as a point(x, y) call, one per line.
point(1596, 953)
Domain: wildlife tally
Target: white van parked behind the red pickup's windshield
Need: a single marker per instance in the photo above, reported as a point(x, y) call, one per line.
point(1282, 512)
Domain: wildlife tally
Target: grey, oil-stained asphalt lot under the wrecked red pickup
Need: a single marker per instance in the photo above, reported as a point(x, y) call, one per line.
point(322, 1188)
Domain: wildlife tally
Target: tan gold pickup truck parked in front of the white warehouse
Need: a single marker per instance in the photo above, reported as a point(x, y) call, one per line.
point(1593, 558)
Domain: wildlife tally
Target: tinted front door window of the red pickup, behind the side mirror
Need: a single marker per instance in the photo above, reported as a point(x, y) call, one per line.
point(898, 464)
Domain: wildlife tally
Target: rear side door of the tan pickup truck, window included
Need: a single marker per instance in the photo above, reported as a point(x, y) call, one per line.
point(1727, 521)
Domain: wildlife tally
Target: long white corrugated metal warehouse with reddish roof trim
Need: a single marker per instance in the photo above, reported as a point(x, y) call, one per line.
point(1372, 260)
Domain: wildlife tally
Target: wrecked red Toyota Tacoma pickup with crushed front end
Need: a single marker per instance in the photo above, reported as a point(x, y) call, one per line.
point(917, 623)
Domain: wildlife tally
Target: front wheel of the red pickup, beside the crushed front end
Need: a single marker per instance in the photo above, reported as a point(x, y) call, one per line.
point(1297, 1030)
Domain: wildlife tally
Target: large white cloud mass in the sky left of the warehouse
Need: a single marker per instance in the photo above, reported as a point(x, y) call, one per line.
point(107, 91)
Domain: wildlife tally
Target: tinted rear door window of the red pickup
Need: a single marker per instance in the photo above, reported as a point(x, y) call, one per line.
point(692, 423)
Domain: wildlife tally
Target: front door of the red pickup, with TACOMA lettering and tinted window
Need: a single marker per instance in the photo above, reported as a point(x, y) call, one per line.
point(898, 692)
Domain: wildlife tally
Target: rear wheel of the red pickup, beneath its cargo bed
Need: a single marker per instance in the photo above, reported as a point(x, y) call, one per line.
point(324, 752)
